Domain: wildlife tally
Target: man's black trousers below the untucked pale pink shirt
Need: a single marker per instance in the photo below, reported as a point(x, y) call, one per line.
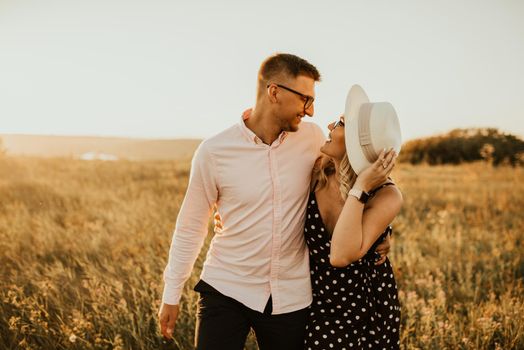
point(224, 323)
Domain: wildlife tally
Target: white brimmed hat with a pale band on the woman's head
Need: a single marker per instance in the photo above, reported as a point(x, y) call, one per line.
point(369, 127)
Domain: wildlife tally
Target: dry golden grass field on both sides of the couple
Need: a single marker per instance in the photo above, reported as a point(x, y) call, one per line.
point(83, 246)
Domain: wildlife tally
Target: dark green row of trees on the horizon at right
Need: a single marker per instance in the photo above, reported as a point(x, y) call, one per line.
point(465, 145)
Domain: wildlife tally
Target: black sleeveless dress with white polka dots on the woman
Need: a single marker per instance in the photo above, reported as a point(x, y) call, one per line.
point(355, 307)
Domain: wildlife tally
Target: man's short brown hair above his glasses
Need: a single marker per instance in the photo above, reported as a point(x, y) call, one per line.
point(287, 65)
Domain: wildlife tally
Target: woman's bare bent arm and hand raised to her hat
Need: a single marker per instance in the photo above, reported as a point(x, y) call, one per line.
point(359, 226)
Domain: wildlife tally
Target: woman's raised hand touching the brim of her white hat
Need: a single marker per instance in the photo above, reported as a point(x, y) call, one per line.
point(378, 172)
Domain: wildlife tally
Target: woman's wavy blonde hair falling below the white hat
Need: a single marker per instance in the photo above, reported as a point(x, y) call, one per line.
point(324, 167)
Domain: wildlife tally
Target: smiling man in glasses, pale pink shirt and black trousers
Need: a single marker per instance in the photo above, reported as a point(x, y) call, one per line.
point(256, 176)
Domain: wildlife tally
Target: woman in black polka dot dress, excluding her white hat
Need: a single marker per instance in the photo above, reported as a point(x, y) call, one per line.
point(355, 303)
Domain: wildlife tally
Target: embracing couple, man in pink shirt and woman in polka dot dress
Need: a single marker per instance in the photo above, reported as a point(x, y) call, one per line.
point(270, 207)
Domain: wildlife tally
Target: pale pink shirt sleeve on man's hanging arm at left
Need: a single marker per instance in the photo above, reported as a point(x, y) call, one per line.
point(191, 225)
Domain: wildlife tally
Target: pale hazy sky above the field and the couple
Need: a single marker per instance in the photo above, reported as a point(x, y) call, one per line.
point(187, 69)
